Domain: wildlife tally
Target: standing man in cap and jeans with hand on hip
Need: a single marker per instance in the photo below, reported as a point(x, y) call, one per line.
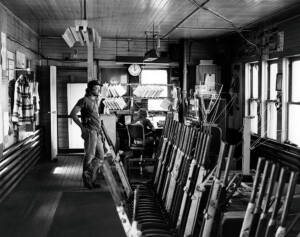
point(90, 125)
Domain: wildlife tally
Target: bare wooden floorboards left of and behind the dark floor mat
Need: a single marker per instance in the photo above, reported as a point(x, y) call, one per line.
point(30, 208)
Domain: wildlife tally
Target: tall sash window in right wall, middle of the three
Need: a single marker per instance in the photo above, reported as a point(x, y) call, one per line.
point(271, 110)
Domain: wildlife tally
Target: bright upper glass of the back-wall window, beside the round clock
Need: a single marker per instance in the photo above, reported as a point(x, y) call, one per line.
point(150, 76)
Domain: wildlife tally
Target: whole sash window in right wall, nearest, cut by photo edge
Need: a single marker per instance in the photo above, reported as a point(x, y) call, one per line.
point(294, 102)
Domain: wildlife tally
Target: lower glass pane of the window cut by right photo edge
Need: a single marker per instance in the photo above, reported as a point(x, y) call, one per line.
point(294, 118)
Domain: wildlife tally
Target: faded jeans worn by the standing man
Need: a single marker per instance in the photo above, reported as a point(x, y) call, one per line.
point(94, 153)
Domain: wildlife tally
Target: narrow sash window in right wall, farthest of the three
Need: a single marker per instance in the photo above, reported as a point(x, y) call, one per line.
point(253, 100)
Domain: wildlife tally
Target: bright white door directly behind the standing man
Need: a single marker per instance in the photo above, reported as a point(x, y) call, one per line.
point(75, 91)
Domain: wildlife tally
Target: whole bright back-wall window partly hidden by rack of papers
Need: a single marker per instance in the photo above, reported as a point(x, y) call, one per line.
point(154, 77)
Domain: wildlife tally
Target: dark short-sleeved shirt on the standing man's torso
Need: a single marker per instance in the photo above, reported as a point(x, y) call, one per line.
point(90, 113)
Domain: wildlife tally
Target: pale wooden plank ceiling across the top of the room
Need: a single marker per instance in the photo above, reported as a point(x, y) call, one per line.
point(131, 18)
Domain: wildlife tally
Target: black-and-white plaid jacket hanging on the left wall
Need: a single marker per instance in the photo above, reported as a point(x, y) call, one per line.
point(23, 106)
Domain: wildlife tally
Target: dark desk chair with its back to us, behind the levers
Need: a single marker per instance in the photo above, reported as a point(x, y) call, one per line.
point(136, 137)
